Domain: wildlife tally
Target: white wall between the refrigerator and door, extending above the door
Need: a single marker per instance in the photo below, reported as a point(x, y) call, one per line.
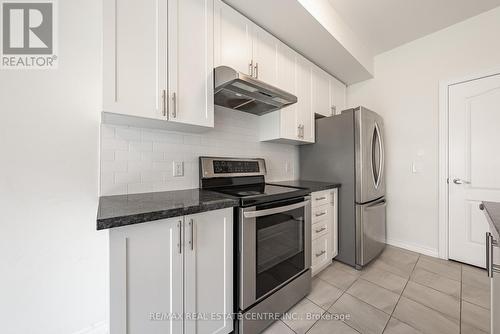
point(405, 92)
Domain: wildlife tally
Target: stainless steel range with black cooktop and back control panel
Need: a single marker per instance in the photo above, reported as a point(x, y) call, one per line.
point(273, 239)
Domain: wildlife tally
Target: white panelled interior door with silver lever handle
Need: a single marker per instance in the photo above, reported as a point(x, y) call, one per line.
point(474, 164)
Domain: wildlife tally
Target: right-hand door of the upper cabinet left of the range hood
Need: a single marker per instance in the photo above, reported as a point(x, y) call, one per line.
point(190, 62)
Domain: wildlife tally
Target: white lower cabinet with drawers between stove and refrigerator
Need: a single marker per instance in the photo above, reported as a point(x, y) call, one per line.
point(324, 227)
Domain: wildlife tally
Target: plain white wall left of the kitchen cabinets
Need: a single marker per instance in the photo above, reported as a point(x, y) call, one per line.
point(52, 259)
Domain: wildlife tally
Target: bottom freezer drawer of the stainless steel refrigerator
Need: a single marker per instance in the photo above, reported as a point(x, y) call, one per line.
point(370, 231)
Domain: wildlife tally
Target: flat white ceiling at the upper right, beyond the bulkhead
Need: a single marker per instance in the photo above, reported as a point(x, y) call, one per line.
point(386, 24)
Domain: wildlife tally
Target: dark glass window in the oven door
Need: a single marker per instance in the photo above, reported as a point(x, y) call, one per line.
point(280, 249)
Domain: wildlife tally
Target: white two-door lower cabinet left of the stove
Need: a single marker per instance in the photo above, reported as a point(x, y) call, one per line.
point(170, 276)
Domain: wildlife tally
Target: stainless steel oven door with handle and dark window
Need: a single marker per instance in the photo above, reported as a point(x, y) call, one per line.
point(274, 246)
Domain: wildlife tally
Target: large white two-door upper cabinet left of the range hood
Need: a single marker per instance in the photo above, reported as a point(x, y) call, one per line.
point(158, 63)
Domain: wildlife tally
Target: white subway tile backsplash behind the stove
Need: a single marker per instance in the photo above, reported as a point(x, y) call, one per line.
point(136, 160)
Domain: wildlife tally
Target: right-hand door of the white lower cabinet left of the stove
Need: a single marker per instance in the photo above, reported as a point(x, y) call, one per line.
point(209, 271)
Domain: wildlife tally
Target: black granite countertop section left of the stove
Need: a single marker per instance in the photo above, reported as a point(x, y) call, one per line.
point(122, 210)
